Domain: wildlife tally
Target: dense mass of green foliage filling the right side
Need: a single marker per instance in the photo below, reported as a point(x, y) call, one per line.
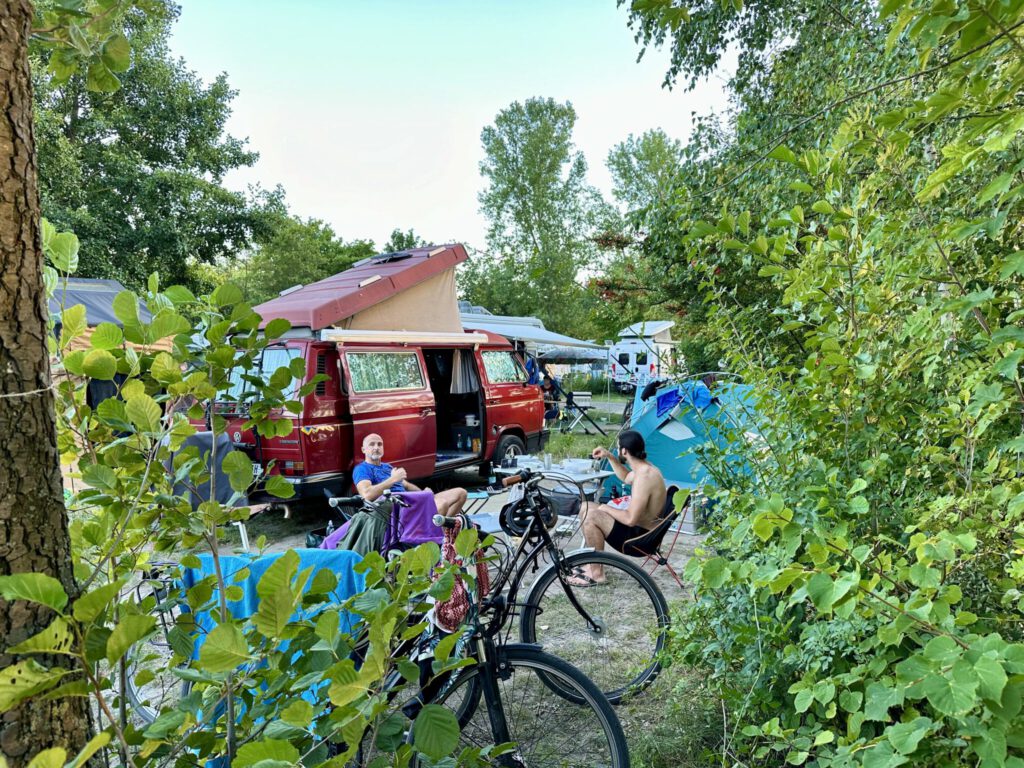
point(860, 601)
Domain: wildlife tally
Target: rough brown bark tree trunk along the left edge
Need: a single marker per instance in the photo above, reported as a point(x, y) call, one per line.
point(33, 521)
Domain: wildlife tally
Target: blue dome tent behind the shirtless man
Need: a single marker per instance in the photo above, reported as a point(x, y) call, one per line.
point(680, 418)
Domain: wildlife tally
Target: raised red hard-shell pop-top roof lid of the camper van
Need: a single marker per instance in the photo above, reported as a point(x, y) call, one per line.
point(367, 284)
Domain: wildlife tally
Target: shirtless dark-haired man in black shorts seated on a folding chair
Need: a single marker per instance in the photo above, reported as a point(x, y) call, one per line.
point(625, 519)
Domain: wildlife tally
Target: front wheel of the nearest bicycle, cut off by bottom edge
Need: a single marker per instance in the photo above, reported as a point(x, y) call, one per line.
point(547, 730)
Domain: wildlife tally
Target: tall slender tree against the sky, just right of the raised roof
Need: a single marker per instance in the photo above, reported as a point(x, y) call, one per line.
point(541, 214)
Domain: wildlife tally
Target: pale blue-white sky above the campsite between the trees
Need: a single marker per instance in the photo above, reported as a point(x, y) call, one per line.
point(370, 112)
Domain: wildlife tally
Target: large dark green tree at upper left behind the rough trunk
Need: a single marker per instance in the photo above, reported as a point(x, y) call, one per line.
point(137, 174)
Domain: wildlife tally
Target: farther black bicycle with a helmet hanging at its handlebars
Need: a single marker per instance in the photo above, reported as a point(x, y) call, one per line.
point(614, 630)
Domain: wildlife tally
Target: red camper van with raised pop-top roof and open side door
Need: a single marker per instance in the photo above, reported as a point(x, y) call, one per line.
point(388, 335)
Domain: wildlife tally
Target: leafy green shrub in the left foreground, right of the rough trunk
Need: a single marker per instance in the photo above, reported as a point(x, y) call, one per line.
point(288, 671)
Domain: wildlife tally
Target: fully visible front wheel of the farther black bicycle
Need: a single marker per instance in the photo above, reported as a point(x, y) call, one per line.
point(619, 648)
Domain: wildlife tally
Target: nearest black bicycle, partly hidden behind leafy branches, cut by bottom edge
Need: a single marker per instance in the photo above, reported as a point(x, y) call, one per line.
point(545, 712)
